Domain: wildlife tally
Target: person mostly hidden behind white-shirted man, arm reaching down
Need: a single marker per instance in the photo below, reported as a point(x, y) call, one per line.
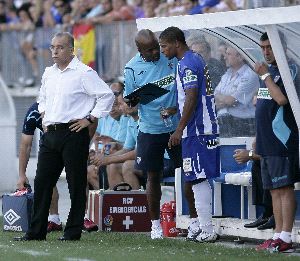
point(33, 121)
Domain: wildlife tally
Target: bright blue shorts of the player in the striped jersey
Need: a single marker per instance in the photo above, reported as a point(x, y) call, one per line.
point(201, 157)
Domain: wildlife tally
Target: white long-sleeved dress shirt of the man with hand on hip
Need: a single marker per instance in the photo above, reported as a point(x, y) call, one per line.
point(73, 93)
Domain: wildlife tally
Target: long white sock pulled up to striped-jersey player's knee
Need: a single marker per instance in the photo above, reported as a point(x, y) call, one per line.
point(202, 195)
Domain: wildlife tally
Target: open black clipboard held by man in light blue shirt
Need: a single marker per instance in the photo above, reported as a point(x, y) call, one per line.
point(147, 93)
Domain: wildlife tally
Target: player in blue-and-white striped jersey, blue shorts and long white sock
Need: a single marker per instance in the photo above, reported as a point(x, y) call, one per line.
point(198, 127)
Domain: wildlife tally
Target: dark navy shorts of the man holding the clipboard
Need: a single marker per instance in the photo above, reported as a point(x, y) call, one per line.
point(151, 149)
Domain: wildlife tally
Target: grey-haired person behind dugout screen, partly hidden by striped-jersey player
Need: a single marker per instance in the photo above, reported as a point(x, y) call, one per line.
point(216, 69)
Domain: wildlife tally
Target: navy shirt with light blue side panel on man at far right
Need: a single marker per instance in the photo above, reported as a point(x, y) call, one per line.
point(276, 128)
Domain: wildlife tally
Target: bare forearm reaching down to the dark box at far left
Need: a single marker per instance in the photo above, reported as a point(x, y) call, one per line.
point(24, 154)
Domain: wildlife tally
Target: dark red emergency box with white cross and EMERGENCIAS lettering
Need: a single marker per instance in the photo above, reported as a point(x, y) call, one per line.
point(119, 211)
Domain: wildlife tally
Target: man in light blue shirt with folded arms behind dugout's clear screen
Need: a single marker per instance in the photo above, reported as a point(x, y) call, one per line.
point(233, 97)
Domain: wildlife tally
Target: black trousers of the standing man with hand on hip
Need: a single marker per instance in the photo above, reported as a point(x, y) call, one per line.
point(59, 149)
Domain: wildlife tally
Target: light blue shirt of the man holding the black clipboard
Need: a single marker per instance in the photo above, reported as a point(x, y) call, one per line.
point(138, 73)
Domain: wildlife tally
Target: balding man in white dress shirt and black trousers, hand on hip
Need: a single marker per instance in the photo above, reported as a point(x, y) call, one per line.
point(72, 98)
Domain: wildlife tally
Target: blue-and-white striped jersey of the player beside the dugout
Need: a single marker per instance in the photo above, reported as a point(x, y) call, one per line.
point(193, 73)
